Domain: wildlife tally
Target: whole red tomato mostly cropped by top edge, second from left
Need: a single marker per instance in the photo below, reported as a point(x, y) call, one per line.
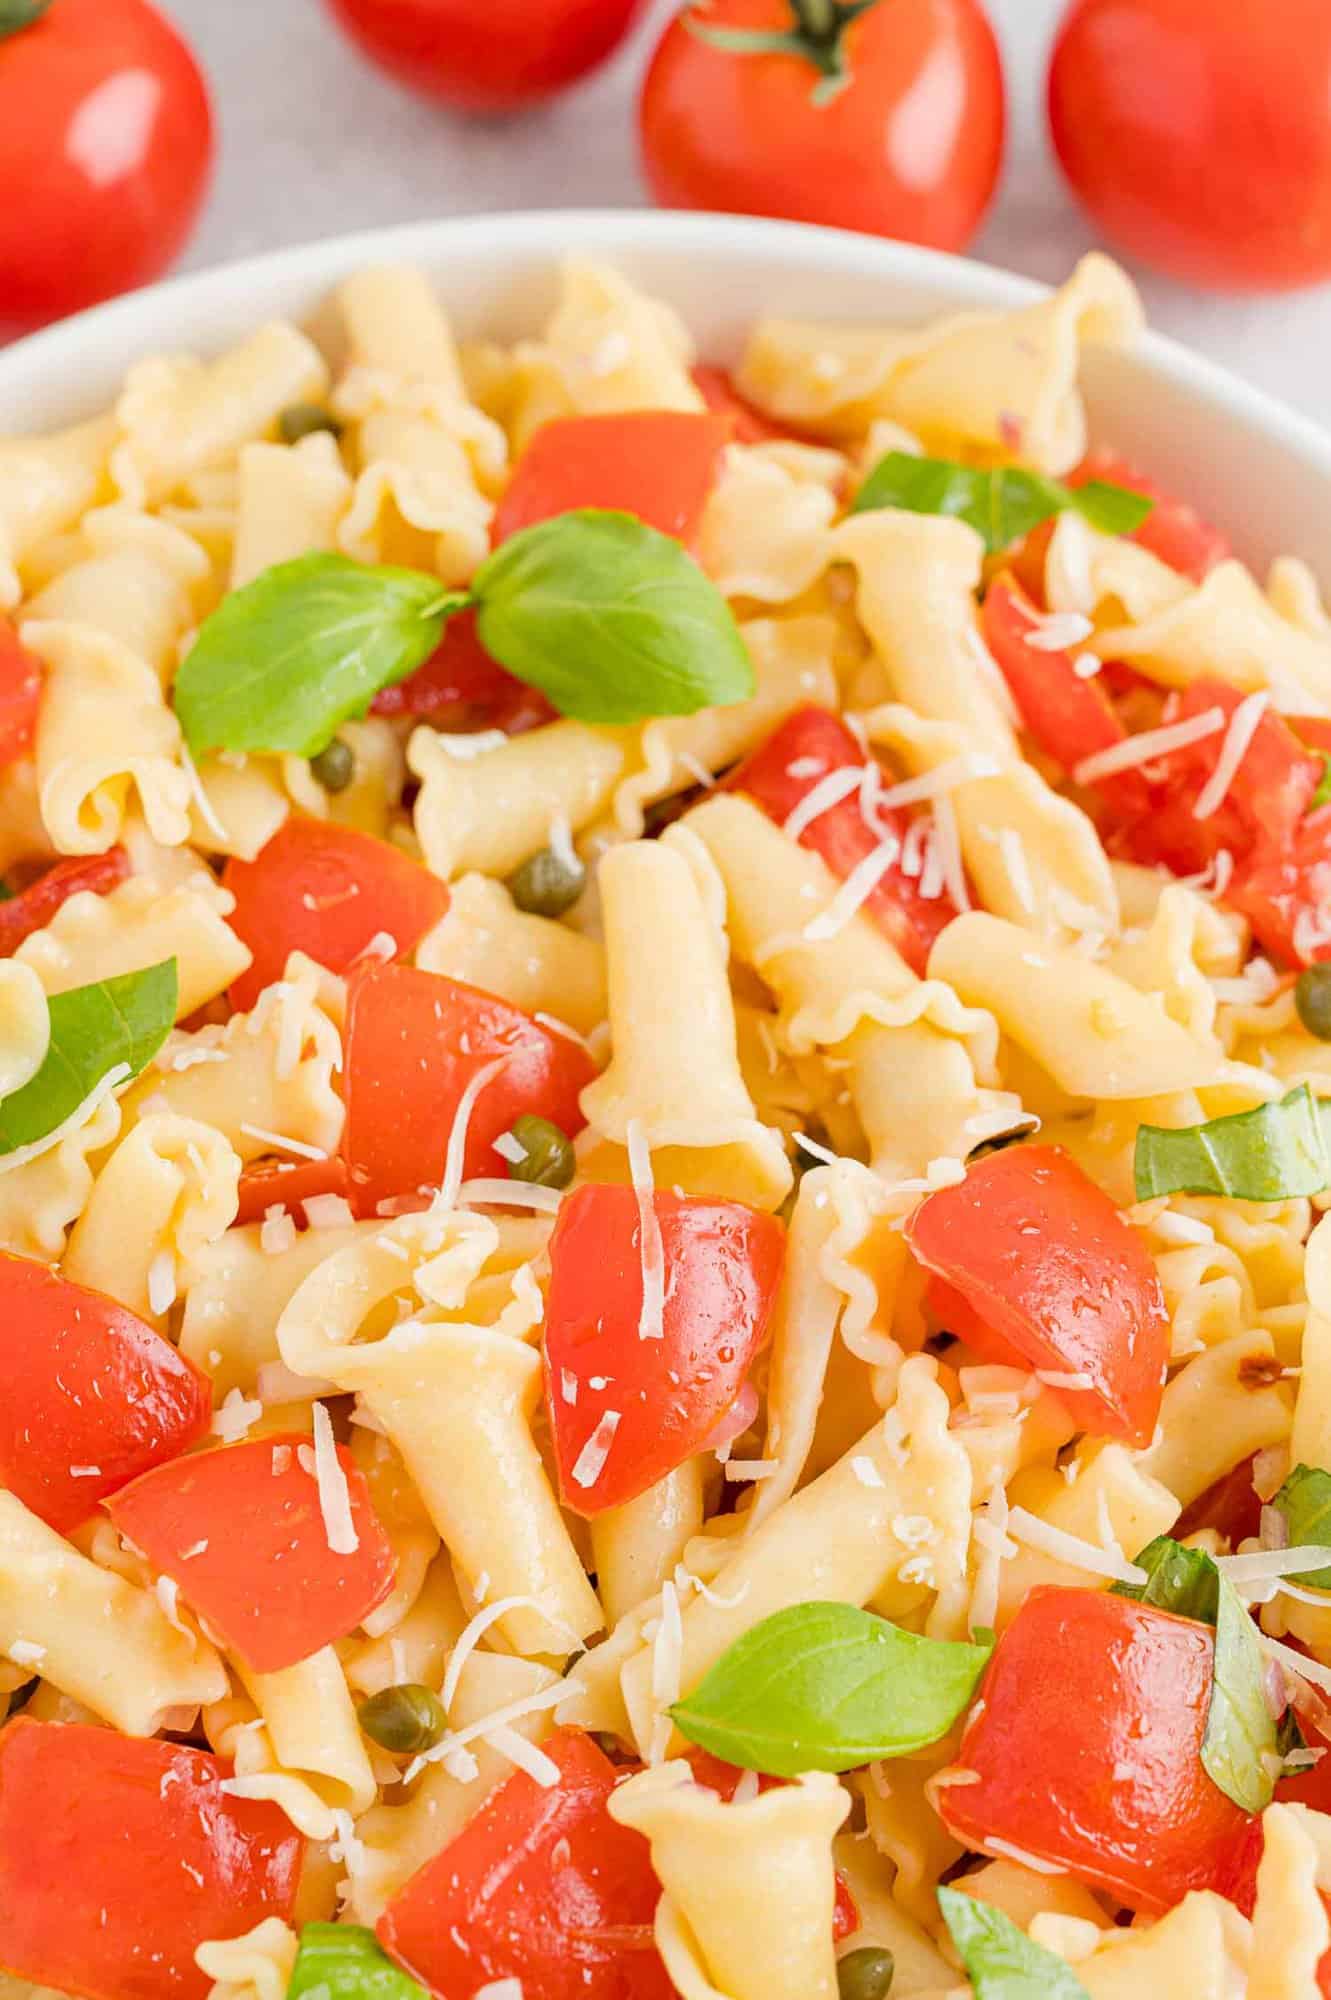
point(487, 57)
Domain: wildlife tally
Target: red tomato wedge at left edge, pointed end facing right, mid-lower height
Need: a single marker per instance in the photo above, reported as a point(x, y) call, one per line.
point(93, 1397)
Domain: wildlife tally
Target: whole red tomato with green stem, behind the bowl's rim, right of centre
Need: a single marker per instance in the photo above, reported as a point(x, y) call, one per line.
point(884, 117)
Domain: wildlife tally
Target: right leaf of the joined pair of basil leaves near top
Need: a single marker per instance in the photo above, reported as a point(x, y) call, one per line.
point(611, 619)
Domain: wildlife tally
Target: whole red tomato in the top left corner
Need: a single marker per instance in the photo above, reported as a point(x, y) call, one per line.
point(105, 153)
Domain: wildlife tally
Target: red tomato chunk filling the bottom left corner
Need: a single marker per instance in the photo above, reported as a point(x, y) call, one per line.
point(119, 1857)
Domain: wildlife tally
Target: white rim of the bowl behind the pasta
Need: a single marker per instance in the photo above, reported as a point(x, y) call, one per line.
point(55, 351)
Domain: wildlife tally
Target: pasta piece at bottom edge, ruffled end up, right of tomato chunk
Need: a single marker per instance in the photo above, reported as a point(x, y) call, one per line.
point(748, 1889)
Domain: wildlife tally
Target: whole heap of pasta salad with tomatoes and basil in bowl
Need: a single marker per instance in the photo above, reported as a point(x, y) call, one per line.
point(665, 1069)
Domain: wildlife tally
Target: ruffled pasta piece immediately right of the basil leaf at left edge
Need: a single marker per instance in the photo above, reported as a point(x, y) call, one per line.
point(263, 1081)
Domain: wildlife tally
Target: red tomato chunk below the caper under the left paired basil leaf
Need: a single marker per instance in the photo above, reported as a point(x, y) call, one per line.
point(327, 891)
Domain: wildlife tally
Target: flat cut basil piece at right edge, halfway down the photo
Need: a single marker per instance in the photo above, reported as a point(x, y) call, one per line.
point(1266, 1155)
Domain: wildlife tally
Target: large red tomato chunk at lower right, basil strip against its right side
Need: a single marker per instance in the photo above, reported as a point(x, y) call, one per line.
point(1088, 1751)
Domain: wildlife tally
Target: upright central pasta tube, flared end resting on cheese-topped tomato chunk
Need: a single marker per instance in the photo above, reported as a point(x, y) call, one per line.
point(676, 1069)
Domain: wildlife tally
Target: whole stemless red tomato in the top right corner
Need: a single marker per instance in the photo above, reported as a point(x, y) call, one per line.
point(1198, 135)
